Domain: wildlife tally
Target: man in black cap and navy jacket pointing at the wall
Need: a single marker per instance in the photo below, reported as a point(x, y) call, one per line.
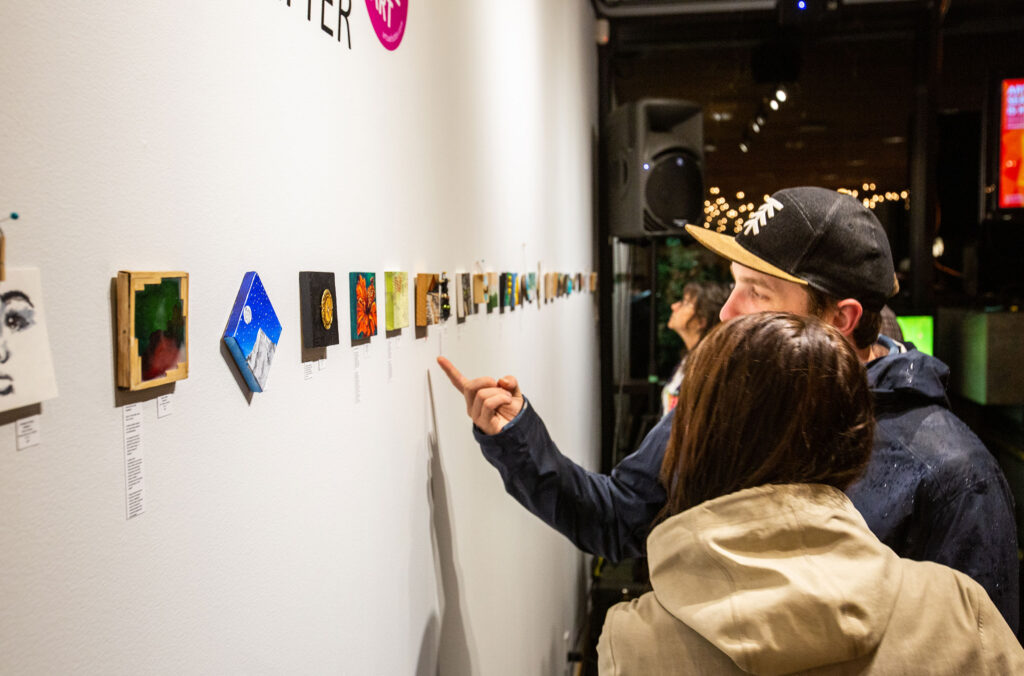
point(932, 491)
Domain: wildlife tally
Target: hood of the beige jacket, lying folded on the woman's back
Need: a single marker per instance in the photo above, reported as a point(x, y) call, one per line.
point(780, 578)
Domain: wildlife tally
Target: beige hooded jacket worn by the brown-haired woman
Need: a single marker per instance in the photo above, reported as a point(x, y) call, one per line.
point(788, 579)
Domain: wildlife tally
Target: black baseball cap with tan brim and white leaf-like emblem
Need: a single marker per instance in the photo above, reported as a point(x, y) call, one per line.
point(814, 237)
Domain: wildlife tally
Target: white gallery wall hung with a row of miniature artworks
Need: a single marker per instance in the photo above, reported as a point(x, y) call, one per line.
point(339, 524)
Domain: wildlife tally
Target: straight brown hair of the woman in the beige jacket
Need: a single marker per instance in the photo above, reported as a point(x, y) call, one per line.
point(770, 398)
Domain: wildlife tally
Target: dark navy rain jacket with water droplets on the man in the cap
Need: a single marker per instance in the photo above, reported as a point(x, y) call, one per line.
point(932, 491)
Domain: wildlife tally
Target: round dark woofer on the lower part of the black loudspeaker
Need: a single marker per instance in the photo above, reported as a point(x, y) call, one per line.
point(674, 190)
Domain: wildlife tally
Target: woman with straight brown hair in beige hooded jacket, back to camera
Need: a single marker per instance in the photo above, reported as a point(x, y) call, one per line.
point(760, 564)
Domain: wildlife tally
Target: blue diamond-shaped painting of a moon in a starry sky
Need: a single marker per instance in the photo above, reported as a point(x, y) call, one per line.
point(253, 332)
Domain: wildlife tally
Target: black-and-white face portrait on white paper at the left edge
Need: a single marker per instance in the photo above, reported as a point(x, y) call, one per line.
point(27, 366)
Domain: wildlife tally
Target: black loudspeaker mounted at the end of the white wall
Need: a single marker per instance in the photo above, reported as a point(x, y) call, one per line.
point(655, 164)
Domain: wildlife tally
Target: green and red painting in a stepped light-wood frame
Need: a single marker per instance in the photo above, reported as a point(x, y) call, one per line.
point(153, 329)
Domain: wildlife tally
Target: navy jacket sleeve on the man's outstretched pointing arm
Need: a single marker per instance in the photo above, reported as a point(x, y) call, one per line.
point(607, 516)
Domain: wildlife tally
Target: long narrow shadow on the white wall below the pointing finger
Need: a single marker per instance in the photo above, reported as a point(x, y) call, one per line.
point(446, 648)
